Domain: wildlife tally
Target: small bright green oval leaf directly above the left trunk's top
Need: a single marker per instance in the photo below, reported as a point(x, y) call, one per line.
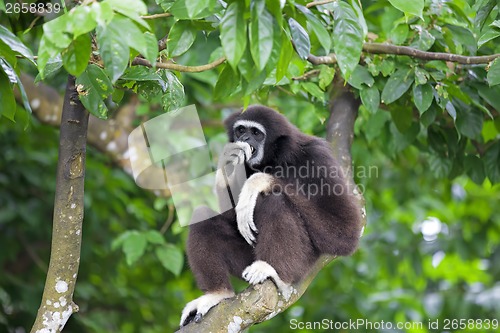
point(76, 56)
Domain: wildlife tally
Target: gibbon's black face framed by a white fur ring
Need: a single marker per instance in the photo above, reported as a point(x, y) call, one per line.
point(254, 134)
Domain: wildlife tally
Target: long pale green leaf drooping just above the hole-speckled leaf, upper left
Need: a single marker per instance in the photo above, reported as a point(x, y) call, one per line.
point(113, 47)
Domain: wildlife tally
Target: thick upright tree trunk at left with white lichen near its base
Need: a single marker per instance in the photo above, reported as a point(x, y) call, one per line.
point(57, 301)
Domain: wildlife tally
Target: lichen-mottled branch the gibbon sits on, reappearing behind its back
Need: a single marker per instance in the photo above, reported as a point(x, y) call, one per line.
point(262, 302)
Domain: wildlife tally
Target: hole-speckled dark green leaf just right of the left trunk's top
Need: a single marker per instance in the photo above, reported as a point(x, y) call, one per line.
point(93, 87)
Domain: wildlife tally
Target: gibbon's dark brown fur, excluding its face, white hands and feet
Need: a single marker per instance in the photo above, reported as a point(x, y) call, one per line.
point(293, 228)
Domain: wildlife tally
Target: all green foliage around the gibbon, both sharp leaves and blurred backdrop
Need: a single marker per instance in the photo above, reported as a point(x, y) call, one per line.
point(426, 152)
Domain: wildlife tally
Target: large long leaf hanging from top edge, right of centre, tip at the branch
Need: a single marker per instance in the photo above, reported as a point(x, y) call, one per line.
point(347, 38)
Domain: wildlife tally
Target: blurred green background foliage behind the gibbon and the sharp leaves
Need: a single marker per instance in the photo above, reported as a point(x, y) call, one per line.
point(429, 175)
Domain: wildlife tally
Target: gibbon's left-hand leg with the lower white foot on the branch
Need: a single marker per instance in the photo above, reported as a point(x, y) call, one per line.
point(215, 250)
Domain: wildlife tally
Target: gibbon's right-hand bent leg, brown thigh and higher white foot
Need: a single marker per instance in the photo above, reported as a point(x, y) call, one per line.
point(283, 246)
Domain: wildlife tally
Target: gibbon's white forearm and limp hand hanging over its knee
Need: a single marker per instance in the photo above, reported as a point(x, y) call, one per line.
point(257, 183)
